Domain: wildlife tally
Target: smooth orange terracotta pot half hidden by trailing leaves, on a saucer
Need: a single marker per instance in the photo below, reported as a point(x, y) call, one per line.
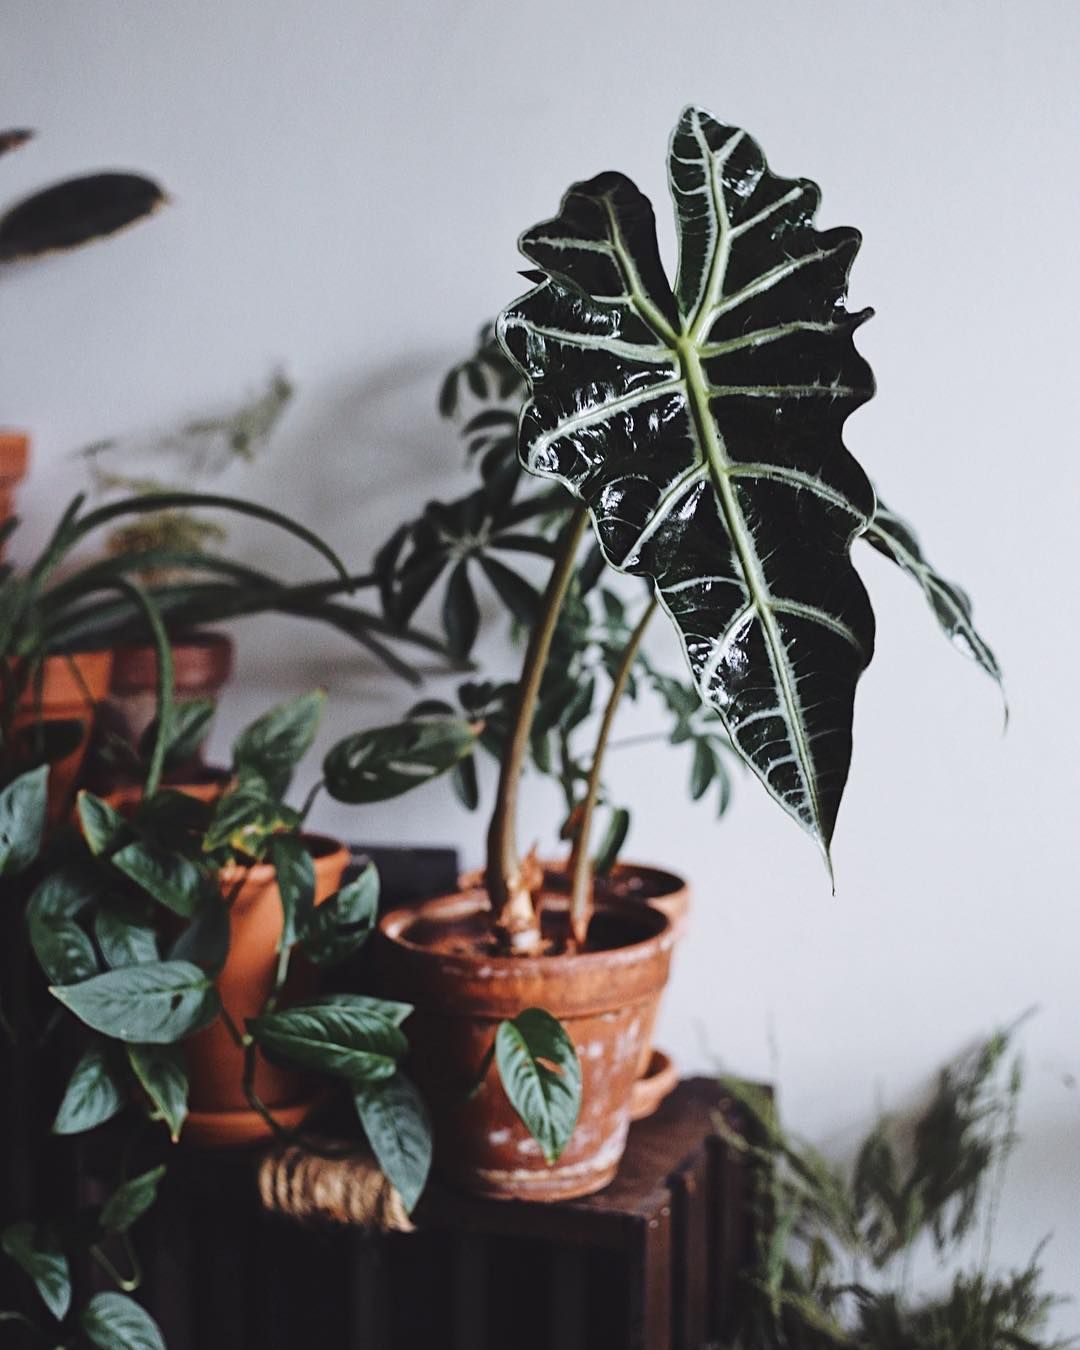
point(219, 1110)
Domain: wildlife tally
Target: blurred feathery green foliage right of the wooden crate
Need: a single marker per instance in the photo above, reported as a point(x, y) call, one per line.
point(834, 1245)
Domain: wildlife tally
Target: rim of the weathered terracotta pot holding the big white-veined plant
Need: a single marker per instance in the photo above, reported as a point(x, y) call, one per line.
point(551, 966)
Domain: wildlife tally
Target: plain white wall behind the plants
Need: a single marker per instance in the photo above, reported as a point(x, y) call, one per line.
point(349, 182)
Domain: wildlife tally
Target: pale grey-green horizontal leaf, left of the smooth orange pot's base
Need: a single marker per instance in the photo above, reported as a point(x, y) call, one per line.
point(160, 1002)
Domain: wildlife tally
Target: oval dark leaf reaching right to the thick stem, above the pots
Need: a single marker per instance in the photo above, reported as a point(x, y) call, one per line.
point(391, 761)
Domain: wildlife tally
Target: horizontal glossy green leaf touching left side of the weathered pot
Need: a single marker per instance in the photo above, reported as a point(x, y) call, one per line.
point(349, 1042)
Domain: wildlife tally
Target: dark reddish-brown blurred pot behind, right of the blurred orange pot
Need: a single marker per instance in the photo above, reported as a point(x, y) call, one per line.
point(202, 668)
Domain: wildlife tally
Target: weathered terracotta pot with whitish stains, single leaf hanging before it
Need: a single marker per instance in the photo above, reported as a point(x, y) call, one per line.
point(434, 958)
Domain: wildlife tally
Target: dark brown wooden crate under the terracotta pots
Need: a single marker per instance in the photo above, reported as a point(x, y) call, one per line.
point(649, 1264)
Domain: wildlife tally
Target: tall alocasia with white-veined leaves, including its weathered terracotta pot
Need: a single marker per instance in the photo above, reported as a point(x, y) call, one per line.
point(695, 431)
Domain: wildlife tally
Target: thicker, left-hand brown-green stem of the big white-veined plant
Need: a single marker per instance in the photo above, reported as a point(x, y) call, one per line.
point(515, 917)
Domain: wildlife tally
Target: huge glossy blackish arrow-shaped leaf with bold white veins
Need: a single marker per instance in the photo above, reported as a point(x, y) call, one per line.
point(703, 427)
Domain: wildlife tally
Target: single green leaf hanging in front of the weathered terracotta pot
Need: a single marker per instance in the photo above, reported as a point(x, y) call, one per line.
point(542, 1077)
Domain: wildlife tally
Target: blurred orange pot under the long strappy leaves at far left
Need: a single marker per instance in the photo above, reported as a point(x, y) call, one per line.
point(71, 691)
